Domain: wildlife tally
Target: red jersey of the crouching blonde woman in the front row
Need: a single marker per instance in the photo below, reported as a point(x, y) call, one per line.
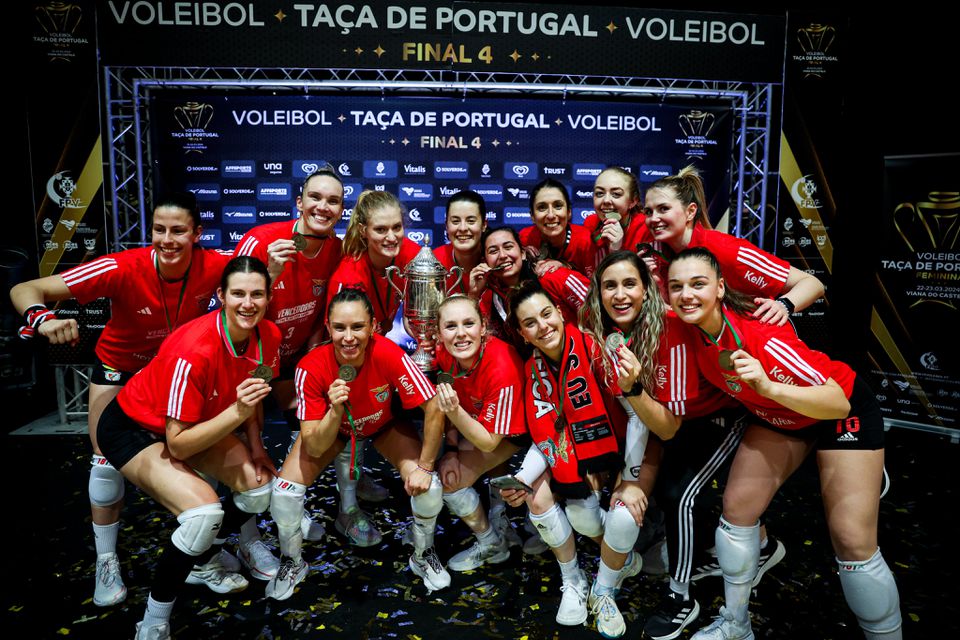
point(492, 392)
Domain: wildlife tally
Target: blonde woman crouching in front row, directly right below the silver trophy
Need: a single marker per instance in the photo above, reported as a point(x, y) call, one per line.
point(480, 391)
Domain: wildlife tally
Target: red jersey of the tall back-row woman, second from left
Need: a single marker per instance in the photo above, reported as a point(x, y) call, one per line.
point(298, 296)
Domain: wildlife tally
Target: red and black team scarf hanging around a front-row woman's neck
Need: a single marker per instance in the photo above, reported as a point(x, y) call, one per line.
point(587, 442)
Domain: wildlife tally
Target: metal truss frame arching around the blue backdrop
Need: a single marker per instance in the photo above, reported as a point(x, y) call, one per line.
point(126, 120)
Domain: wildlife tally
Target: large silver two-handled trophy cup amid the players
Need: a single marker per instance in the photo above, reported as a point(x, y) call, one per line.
point(423, 291)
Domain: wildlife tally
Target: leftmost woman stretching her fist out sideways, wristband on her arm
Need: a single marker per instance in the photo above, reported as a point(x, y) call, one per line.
point(152, 291)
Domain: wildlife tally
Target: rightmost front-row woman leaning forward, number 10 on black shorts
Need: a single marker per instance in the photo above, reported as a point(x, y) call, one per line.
point(803, 402)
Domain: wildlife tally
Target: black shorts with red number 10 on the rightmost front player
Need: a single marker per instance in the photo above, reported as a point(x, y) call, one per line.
point(861, 430)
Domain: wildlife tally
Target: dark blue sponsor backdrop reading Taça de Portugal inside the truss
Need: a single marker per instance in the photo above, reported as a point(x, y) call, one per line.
point(246, 156)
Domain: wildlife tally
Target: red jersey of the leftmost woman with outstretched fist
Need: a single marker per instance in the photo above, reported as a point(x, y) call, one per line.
point(141, 317)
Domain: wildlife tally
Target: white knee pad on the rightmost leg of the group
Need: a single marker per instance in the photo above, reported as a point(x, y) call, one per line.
point(871, 594)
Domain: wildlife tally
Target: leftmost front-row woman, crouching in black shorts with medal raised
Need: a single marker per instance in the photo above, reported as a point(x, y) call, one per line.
point(175, 419)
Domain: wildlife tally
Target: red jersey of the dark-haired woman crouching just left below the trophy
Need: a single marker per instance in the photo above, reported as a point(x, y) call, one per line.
point(386, 368)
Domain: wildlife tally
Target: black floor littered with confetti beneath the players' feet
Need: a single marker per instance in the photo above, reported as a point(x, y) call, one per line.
point(372, 594)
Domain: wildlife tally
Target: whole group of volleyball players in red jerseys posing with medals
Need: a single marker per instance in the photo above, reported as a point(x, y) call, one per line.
point(635, 357)
